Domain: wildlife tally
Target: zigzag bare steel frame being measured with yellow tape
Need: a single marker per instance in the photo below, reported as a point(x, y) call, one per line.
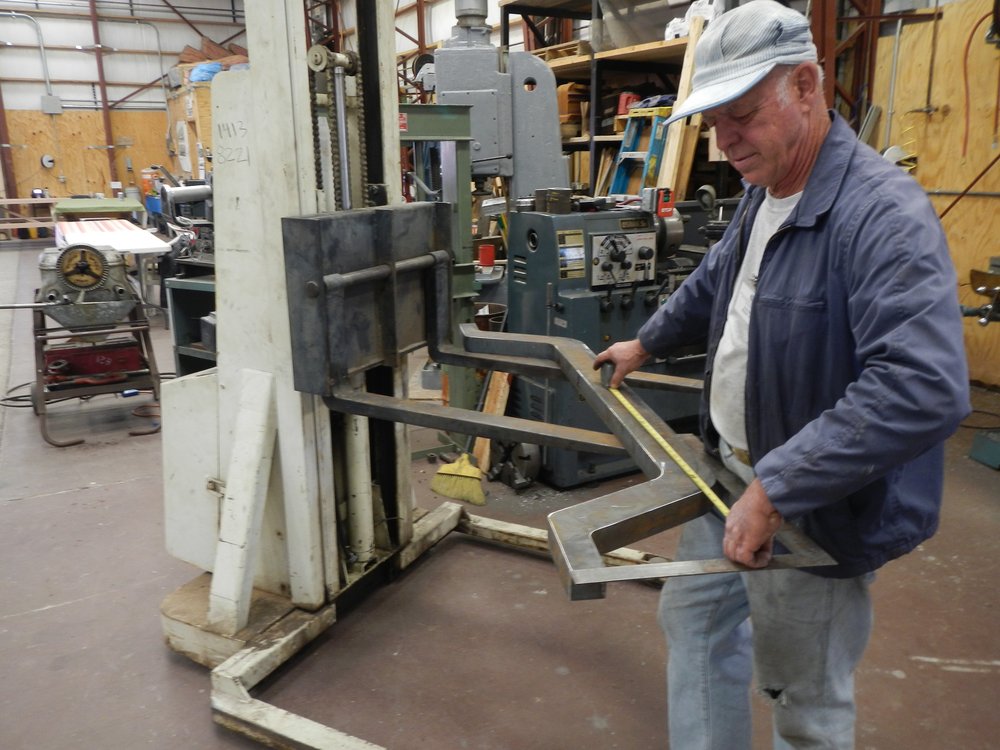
point(580, 535)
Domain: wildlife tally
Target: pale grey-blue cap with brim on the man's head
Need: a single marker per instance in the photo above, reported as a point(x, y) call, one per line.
point(739, 48)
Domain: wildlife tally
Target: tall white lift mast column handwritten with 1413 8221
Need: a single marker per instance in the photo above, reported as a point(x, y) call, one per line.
point(265, 170)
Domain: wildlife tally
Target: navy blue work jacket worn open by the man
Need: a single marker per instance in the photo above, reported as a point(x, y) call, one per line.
point(856, 371)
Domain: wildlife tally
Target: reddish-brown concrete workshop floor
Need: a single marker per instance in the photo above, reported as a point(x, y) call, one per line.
point(472, 647)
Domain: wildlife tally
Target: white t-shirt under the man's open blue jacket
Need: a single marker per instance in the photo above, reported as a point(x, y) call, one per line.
point(729, 379)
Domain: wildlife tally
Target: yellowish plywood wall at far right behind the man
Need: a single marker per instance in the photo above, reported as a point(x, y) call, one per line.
point(947, 158)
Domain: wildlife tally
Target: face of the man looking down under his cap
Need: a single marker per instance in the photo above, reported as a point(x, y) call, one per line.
point(759, 132)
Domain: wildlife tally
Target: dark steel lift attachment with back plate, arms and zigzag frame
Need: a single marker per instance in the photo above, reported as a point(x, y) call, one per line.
point(349, 315)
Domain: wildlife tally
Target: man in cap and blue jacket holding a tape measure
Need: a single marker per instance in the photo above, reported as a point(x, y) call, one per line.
point(835, 372)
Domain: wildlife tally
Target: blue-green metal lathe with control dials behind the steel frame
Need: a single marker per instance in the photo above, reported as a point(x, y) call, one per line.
point(595, 276)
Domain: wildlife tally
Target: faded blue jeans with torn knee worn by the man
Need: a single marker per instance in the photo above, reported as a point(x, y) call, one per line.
point(808, 634)
